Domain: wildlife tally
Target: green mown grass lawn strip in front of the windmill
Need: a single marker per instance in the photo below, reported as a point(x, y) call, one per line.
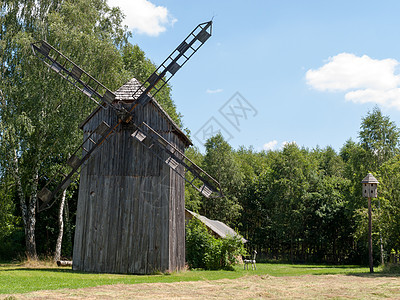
point(22, 278)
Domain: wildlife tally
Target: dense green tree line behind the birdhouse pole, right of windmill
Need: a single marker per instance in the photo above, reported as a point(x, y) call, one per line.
point(298, 204)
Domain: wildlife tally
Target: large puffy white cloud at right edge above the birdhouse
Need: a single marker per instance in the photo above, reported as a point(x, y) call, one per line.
point(362, 78)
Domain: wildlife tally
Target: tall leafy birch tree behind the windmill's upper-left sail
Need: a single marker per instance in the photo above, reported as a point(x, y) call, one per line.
point(39, 111)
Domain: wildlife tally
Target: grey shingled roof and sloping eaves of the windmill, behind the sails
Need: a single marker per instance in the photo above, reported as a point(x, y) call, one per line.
point(125, 93)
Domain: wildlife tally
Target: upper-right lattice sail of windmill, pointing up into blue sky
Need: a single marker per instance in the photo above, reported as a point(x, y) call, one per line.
point(173, 63)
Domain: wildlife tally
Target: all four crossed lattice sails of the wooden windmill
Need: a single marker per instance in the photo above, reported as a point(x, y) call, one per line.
point(96, 91)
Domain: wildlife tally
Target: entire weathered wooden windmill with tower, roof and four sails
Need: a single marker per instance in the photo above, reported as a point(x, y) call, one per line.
point(130, 216)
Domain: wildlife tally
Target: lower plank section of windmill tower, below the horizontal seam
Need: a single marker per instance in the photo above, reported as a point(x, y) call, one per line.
point(129, 225)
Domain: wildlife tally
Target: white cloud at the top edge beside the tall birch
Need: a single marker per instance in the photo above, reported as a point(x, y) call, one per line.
point(143, 17)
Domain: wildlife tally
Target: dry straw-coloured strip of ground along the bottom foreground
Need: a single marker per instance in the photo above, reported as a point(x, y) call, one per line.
point(250, 287)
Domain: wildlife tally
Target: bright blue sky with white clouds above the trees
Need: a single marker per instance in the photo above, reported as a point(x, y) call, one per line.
point(277, 71)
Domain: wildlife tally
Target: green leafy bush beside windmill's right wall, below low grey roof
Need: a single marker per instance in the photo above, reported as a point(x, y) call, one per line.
point(207, 252)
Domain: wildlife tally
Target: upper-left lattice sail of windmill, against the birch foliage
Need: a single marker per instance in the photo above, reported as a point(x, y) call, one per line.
point(75, 75)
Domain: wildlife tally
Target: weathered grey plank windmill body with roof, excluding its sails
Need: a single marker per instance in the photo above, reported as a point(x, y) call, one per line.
point(131, 206)
